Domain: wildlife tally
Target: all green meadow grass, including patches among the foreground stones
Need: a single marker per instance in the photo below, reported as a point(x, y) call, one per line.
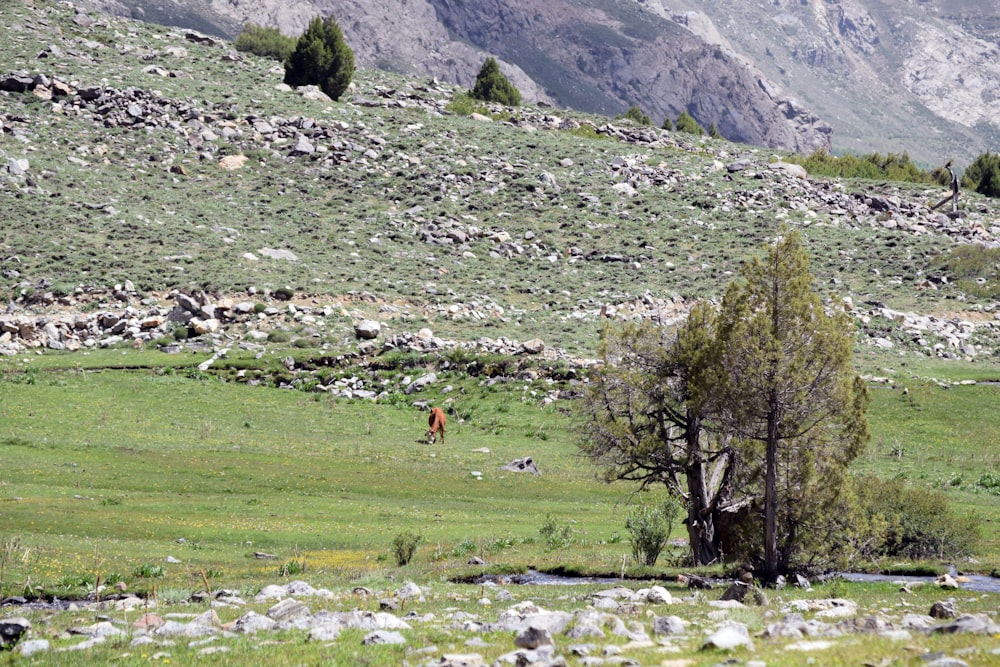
point(108, 474)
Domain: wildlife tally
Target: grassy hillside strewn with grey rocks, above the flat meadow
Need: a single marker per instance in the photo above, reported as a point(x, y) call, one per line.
point(157, 185)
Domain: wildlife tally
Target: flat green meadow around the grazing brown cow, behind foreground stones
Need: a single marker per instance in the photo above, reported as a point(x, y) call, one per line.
point(104, 471)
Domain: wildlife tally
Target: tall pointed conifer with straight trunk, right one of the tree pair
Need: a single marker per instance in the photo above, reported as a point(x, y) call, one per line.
point(788, 384)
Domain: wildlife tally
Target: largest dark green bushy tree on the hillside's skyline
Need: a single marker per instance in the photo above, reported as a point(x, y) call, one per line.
point(321, 58)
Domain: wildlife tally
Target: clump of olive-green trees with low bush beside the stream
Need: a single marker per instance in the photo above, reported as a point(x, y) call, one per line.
point(750, 413)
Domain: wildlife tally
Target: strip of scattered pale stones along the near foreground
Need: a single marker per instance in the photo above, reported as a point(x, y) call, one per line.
point(605, 627)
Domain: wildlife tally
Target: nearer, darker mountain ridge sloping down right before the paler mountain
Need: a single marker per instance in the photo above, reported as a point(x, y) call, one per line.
point(598, 57)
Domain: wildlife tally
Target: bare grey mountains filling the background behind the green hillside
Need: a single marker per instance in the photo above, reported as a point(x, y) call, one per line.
point(891, 75)
